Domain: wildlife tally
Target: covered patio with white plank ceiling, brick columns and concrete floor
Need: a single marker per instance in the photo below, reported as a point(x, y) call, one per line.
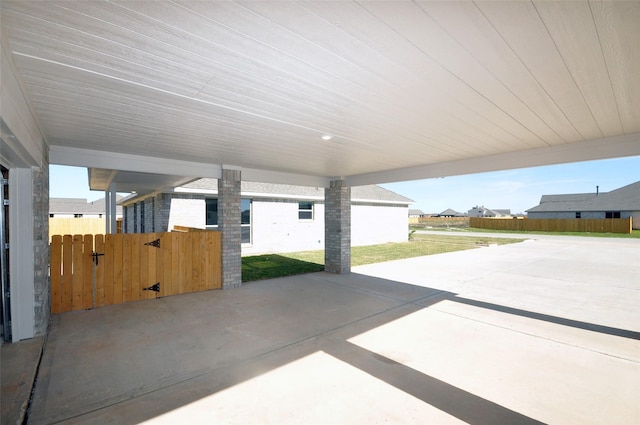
point(150, 95)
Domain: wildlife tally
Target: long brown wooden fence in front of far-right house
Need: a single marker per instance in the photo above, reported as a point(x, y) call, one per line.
point(605, 225)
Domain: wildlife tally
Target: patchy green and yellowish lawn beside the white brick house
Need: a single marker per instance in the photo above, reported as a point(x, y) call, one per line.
point(270, 266)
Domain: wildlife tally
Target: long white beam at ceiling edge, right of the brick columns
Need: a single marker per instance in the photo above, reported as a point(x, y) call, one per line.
point(611, 147)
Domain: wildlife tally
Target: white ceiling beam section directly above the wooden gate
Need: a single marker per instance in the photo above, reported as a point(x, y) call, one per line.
point(62, 155)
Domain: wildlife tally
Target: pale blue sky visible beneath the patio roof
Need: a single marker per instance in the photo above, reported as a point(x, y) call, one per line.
point(517, 190)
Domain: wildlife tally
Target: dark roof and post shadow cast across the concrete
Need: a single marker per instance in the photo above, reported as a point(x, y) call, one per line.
point(134, 362)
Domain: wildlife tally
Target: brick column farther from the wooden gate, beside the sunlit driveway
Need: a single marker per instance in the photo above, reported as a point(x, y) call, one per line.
point(337, 228)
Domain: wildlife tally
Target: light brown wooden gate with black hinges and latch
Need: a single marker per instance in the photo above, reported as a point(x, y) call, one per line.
point(89, 272)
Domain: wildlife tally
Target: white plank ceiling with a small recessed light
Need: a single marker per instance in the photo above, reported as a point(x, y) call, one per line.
point(406, 89)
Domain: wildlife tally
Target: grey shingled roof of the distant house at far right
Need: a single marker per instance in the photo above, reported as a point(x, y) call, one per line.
point(626, 198)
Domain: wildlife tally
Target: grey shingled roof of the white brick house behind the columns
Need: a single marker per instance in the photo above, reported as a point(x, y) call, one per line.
point(369, 193)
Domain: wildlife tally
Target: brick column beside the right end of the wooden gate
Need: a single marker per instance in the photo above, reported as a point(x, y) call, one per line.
point(229, 225)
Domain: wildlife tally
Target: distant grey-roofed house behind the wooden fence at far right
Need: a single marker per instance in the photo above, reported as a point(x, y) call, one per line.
point(620, 203)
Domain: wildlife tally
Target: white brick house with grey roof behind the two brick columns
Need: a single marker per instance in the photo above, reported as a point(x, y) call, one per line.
point(275, 217)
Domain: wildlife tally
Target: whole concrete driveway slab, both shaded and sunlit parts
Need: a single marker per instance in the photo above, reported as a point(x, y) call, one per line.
point(545, 331)
